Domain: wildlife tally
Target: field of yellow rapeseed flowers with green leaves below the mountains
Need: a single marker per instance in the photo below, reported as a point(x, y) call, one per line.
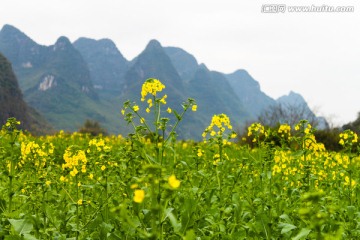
point(284, 185)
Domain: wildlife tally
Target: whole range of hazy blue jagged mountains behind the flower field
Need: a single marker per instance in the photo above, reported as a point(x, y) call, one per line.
point(59, 80)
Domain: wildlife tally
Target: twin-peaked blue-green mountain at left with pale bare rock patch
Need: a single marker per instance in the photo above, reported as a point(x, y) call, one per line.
point(55, 80)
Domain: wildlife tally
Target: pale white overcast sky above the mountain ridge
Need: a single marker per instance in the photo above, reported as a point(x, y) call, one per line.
point(316, 54)
